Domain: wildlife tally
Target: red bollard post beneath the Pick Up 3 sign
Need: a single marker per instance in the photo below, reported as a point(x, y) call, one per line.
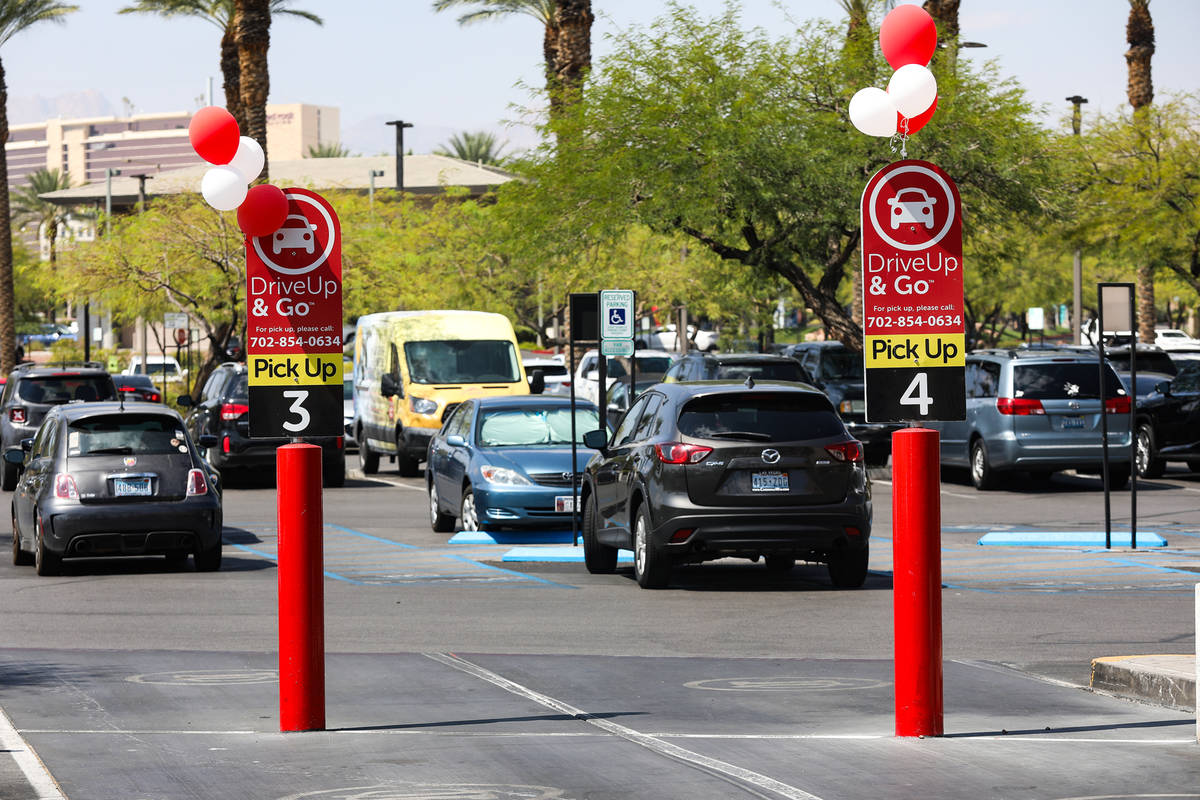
point(302, 590)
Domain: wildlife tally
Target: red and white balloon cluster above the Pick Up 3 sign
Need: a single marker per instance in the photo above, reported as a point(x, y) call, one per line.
point(237, 160)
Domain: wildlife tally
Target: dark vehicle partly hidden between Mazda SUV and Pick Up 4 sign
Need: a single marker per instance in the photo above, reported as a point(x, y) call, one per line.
point(838, 372)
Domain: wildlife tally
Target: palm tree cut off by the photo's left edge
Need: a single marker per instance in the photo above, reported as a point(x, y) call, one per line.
point(16, 16)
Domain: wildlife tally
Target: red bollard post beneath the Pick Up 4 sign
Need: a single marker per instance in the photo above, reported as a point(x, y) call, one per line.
point(917, 581)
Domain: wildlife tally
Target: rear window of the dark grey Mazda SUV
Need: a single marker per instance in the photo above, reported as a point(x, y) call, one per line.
point(760, 418)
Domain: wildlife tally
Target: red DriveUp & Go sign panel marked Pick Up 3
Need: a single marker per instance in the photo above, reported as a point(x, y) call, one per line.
point(295, 323)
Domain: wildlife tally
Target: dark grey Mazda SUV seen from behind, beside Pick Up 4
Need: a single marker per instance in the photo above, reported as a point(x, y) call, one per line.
point(699, 472)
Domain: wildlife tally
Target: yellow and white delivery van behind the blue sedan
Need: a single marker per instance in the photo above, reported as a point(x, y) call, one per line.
point(413, 368)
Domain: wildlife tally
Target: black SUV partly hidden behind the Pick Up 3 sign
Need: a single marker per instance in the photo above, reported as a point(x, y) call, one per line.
point(224, 413)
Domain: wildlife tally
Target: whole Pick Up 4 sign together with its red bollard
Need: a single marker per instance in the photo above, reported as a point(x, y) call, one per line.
point(915, 357)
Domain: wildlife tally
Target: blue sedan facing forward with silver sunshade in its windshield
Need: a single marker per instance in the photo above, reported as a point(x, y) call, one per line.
point(506, 462)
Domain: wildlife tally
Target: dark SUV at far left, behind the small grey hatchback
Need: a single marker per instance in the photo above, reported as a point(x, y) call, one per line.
point(34, 390)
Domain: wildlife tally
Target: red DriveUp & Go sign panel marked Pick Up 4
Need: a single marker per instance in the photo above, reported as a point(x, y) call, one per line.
point(914, 334)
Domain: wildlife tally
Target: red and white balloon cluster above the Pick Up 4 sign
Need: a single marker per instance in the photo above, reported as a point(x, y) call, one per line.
point(908, 38)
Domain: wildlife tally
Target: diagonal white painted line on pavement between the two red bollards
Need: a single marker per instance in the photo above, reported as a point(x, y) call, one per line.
point(629, 735)
